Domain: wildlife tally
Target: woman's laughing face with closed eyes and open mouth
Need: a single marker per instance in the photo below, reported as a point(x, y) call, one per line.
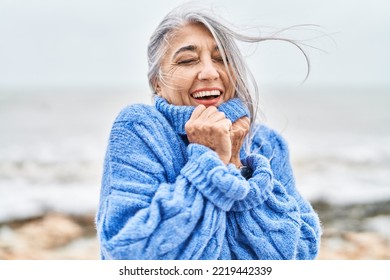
point(193, 71)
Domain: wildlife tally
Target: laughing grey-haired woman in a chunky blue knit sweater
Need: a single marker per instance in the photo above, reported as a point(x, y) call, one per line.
point(193, 177)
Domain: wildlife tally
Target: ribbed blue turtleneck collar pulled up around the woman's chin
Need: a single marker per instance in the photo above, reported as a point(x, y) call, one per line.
point(178, 116)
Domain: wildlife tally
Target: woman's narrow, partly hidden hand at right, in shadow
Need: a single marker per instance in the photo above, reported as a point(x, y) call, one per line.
point(239, 130)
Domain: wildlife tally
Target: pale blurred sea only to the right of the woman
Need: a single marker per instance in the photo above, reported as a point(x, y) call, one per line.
point(339, 141)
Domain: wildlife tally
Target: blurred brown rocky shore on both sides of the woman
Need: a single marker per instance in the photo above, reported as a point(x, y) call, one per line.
point(349, 233)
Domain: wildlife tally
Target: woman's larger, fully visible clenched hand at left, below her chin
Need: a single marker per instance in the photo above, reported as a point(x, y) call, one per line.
point(210, 127)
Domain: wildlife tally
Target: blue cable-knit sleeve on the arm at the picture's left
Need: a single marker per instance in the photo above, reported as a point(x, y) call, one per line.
point(156, 200)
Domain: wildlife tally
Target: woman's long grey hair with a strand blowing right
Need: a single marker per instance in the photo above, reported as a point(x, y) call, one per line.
point(225, 37)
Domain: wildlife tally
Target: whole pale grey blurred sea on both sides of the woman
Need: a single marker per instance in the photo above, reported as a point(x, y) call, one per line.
point(52, 144)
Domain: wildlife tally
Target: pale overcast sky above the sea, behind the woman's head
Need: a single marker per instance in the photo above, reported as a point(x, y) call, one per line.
point(102, 43)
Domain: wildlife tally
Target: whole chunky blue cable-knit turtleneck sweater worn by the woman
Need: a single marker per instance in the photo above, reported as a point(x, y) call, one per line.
point(163, 198)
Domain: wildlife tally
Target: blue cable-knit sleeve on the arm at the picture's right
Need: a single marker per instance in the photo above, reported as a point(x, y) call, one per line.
point(274, 221)
